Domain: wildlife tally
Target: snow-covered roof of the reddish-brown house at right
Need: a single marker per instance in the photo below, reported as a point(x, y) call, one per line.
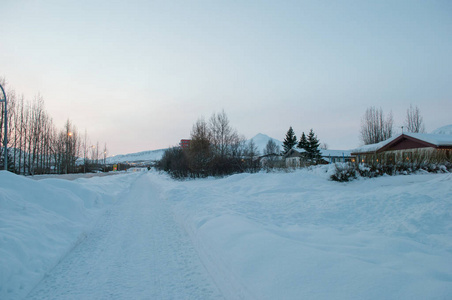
point(408, 141)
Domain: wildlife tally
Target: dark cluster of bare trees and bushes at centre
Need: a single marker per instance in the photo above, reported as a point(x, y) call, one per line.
point(215, 149)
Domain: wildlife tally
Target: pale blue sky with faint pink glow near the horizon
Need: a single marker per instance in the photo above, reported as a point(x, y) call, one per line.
point(138, 74)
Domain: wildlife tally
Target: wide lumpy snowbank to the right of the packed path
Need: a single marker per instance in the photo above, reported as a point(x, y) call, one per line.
point(298, 235)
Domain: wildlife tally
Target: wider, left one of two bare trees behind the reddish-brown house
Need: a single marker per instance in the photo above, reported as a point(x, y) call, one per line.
point(374, 127)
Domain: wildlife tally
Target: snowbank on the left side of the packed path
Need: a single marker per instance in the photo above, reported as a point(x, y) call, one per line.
point(41, 221)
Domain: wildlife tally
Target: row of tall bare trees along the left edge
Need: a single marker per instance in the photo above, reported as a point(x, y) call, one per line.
point(36, 145)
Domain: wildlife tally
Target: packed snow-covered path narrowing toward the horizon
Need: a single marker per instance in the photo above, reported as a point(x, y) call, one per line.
point(135, 251)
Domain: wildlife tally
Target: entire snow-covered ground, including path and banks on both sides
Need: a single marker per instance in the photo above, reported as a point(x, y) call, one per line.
point(248, 236)
